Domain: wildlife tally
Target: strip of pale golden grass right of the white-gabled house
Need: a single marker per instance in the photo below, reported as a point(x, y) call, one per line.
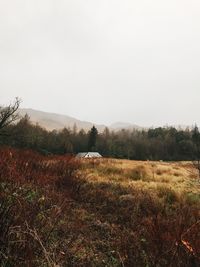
point(145, 175)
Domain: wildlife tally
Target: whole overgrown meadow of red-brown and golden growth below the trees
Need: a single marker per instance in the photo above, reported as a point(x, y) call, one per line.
point(58, 211)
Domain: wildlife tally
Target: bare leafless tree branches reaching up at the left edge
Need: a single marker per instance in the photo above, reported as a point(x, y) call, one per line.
point(9, 113)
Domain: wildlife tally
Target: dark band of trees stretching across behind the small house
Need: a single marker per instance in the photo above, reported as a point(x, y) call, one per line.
point(163, 143)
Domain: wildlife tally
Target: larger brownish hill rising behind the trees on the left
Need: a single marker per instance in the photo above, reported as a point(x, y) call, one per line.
point(52, 121)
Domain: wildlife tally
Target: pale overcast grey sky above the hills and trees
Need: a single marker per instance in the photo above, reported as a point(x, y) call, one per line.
point(103, 61)
